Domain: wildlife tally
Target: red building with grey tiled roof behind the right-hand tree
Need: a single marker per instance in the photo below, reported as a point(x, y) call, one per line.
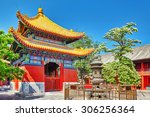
point(141, 58)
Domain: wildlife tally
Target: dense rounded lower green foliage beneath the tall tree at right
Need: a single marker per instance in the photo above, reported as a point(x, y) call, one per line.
point(116, 72)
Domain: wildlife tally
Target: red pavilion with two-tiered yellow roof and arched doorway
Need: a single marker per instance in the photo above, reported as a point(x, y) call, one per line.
point(44, 54)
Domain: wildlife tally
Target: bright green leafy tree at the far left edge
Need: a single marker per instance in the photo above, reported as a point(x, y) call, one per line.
point(6, 56)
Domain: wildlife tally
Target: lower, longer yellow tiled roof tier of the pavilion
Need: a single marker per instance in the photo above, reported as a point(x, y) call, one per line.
point(44, 46)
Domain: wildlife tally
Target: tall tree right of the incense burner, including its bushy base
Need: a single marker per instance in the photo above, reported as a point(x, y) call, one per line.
point(122, 69)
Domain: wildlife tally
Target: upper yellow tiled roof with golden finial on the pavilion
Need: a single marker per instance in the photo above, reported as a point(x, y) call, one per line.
point(42, 23)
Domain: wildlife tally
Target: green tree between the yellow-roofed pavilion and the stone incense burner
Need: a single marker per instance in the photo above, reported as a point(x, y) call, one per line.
point(82, 64)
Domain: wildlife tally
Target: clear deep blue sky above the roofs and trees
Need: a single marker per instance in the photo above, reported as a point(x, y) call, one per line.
point(94, 17)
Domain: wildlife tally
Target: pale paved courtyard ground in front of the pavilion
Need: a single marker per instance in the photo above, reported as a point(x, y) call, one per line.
point(7, 94)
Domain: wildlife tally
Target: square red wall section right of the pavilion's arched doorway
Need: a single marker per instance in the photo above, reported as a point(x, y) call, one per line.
point(70, 75)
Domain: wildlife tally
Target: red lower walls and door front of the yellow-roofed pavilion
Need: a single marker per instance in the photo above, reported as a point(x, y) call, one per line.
point(36, 74)
